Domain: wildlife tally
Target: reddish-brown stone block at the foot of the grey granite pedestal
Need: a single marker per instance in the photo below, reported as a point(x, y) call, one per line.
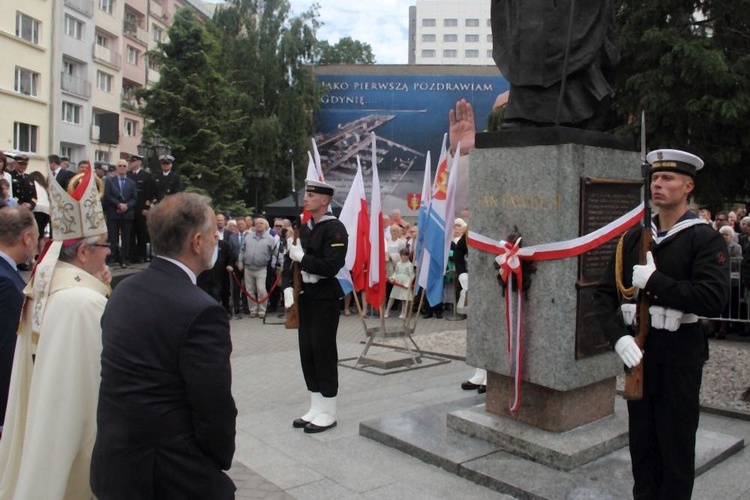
point(548, 409)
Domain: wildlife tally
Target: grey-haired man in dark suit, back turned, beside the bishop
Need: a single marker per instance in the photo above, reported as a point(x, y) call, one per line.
point(166, 416)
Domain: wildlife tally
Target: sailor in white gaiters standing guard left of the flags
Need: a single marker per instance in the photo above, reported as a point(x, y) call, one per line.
point(321, 253)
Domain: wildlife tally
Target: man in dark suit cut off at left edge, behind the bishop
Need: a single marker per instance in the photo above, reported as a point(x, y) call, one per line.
point(18, 238)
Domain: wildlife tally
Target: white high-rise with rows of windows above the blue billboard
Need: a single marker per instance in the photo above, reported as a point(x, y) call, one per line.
point(450, 32)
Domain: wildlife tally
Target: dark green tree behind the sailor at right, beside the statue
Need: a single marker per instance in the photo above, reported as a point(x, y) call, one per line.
point(687, 64)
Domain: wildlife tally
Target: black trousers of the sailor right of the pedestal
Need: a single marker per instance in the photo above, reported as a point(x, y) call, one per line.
point(662, 432)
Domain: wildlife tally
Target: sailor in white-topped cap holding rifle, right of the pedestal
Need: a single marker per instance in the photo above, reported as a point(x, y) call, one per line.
point(686, 275)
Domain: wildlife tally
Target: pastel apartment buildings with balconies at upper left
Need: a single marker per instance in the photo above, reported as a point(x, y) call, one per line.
point(73, 68)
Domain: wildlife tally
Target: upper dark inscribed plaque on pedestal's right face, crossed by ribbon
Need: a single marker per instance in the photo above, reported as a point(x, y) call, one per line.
point(603, 201)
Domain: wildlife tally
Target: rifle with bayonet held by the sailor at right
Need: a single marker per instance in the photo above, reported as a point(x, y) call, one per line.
point(634, 376)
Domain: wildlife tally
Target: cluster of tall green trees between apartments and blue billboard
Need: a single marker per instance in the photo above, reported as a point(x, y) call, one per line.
point(237, 97)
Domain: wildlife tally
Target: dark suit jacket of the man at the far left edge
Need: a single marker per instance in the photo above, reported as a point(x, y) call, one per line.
point(11, 300)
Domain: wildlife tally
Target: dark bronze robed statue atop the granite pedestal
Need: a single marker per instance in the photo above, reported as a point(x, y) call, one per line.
point(558, 56)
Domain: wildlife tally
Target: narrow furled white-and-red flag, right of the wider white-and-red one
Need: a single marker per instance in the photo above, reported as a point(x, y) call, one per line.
point(375, 292)
